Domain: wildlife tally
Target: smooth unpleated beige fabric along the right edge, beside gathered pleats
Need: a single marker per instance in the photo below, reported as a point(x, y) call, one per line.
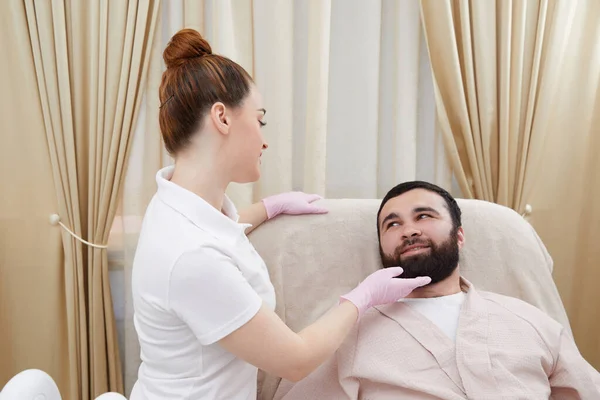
point(565, 196)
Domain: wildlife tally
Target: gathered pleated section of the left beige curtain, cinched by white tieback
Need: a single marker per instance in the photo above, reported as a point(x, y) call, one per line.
point(90, 64)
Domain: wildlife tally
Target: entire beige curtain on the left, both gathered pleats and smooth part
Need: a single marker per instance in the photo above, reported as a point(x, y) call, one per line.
point(89, 61)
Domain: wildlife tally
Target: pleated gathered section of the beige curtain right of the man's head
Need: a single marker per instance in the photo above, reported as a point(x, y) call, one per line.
point(495, 78)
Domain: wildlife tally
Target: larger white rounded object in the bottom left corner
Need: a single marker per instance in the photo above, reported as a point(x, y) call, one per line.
point(31, 384)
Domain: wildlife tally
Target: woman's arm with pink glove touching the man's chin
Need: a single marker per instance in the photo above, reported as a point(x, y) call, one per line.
point(269, 344)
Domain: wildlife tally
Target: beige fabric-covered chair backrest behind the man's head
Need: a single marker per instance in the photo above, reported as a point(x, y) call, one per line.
point(313, 259)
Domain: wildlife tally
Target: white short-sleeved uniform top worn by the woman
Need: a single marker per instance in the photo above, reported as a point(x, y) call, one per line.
point(196, 278)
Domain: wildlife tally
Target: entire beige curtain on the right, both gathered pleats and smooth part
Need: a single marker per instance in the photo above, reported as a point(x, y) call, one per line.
point(515, 83)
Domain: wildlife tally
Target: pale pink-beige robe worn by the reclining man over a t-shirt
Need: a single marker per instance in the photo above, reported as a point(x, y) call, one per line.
point(505, 349)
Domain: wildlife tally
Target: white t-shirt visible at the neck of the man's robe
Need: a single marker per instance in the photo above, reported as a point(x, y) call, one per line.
point(443, 311)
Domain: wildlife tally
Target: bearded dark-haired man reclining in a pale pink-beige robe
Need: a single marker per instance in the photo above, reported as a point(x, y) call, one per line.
point(446, 340)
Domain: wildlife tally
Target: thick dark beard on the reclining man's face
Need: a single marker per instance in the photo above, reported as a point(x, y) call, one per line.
point(438, 263)
